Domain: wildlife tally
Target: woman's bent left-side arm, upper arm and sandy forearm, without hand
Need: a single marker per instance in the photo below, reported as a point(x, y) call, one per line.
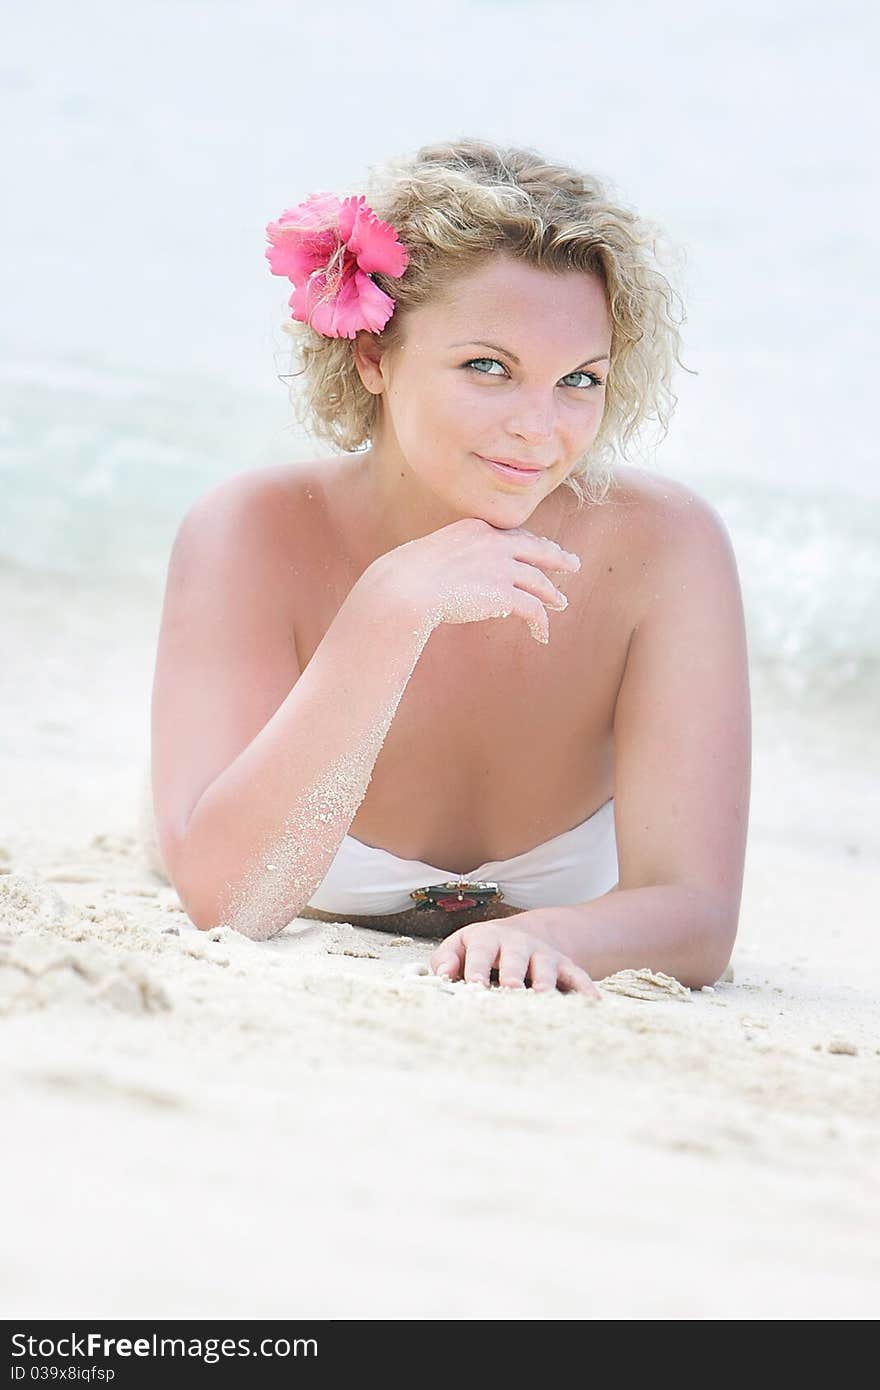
point(262, 833)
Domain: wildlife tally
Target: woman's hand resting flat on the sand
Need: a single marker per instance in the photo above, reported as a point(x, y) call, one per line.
point(519, 957)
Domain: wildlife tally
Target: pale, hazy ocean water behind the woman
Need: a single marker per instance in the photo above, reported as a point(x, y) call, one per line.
point(140, 345)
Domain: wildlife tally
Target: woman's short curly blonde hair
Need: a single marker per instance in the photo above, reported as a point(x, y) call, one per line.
point(454, 206)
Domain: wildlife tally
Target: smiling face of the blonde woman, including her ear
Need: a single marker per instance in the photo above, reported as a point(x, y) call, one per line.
point(511, 365)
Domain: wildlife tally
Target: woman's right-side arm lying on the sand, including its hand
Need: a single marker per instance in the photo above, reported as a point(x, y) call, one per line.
point(682, 780)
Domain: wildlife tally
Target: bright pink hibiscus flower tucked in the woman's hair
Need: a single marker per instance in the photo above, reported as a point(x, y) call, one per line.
point(329, 248)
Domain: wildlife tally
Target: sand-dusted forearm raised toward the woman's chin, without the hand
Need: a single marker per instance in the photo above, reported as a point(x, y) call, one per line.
point(263, 836)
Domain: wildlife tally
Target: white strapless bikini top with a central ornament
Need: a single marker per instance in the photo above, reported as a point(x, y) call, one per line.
point(576, 867)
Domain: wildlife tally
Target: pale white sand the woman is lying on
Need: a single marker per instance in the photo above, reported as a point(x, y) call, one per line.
point(204, 1127)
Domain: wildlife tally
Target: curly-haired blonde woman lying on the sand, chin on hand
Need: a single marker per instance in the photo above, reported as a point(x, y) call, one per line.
point(343, 728)
